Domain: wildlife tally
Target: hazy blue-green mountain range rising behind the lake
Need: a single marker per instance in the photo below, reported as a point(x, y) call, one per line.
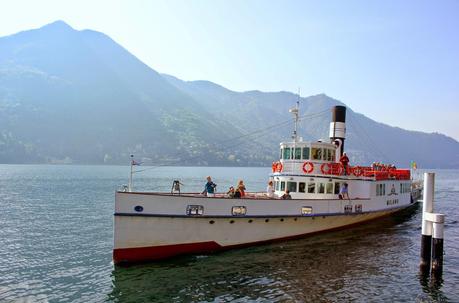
point(69, 96)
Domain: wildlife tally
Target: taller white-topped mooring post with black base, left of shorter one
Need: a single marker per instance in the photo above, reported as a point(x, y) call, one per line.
point(427, 207)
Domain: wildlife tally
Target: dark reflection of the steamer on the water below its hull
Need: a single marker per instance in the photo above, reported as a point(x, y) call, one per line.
point(341, 266)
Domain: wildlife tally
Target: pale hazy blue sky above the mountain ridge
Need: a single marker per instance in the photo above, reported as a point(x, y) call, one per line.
point(394, 61)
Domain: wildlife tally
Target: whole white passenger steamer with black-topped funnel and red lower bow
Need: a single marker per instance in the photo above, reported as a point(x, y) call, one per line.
point(158, 225)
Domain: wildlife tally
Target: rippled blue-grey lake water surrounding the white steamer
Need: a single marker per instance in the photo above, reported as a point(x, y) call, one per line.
point(56, 245)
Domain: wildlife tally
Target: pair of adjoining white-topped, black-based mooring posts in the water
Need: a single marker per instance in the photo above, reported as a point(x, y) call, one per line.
point(432, 231)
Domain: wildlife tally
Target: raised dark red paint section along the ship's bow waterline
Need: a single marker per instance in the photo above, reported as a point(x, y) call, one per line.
point(151, 253)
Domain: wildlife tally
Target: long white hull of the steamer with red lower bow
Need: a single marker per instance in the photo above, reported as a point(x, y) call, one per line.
point(163, 229)
